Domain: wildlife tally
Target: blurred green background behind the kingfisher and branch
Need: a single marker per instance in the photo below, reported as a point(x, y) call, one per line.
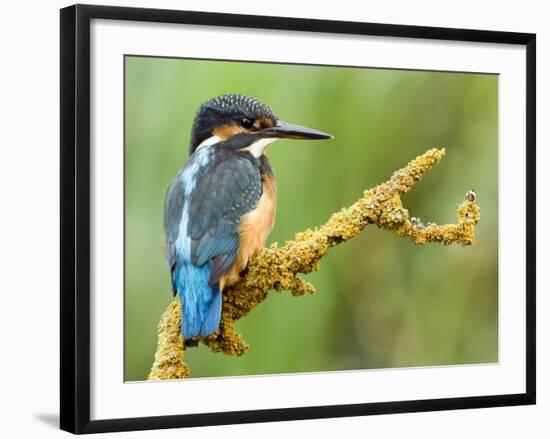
point(381, 301)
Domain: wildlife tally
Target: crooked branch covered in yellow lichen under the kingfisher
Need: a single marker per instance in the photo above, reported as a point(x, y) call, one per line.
point(278, 267)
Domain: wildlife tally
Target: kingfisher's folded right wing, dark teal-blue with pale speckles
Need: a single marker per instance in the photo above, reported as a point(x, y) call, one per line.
point(227, 190)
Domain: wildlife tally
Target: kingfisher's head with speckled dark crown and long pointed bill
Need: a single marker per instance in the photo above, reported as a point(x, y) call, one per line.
point(243, 123)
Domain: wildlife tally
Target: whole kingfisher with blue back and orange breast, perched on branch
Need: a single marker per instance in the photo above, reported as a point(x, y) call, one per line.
point(220, 207)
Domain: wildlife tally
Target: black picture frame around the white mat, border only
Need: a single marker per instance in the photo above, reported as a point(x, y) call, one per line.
point(75, 217)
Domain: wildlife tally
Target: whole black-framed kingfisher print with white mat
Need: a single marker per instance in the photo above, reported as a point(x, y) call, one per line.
point(268, 218)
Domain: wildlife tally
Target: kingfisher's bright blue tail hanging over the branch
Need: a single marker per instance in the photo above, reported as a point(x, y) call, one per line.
point(201, 303)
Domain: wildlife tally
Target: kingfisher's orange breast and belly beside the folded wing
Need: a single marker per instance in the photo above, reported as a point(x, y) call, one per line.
point(253, 231)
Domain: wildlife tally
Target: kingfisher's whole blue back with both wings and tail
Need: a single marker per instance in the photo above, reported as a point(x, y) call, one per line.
point(202, 214)
